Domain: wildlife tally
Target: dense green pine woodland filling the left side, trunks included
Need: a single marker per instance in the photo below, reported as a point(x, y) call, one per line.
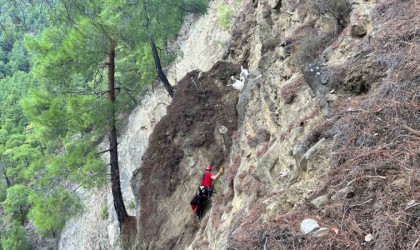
point(68, 68)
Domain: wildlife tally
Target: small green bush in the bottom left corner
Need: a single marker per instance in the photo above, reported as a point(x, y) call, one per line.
point(15, 238)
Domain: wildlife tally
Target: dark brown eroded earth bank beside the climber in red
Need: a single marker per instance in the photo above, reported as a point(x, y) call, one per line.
point(196, 130)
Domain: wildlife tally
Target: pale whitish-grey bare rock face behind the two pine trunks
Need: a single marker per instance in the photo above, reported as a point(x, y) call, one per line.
point(200, 43)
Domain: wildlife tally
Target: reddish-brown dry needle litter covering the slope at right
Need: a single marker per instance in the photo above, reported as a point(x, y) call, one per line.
point(376, 152)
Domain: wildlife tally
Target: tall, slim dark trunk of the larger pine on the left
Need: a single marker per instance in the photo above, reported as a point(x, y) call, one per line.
point(113, 145)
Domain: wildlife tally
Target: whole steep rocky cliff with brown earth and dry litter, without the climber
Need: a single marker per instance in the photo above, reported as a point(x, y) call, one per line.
point(325, 128)
